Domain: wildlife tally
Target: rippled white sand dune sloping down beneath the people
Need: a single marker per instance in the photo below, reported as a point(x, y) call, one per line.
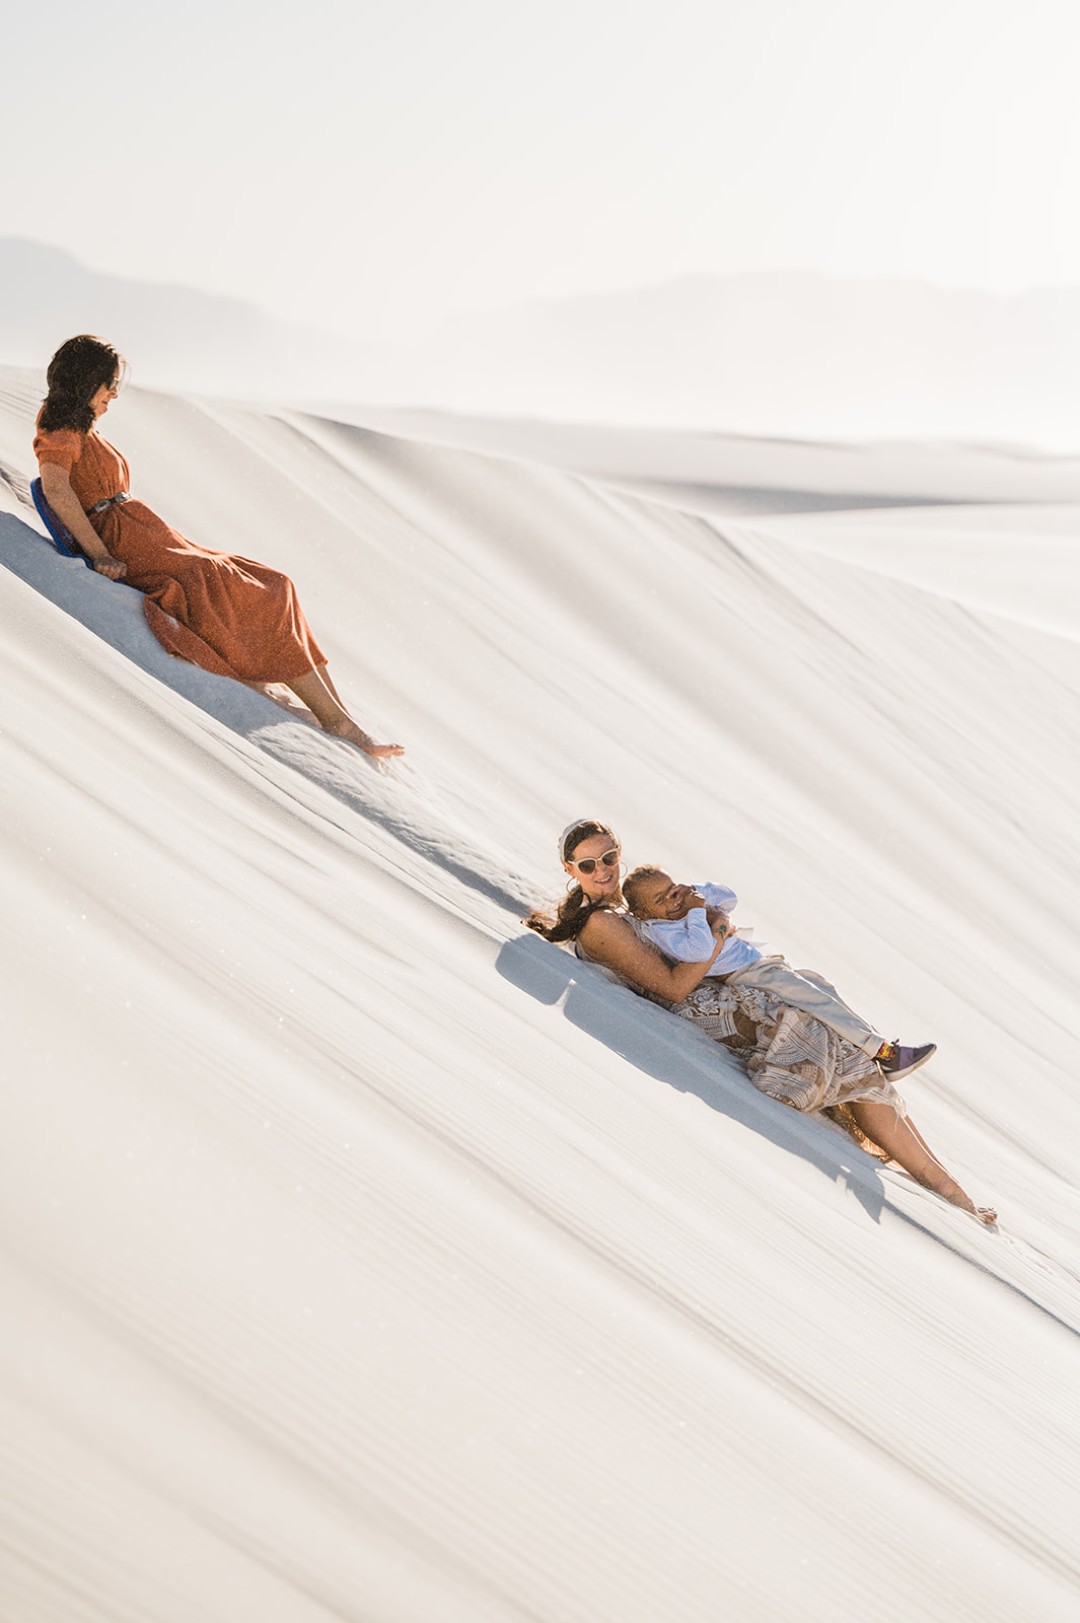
point(371, 1260)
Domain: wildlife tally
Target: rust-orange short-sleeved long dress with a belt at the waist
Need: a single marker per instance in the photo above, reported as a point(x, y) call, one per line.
point(222, 613)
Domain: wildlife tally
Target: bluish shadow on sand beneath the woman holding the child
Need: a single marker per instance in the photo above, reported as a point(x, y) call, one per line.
point(675, 1053)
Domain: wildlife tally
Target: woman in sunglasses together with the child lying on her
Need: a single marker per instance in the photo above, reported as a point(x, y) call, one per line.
point(801, 1044)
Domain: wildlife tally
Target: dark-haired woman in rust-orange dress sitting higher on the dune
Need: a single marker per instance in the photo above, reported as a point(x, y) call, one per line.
point(220, 611)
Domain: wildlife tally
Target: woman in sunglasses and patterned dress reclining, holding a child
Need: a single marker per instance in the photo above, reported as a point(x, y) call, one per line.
point(790, 1056)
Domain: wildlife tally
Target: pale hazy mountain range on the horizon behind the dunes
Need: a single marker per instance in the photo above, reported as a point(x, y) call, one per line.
point(785, 353)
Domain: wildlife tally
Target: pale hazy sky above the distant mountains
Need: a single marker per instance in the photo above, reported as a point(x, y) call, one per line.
point(376, 166)
